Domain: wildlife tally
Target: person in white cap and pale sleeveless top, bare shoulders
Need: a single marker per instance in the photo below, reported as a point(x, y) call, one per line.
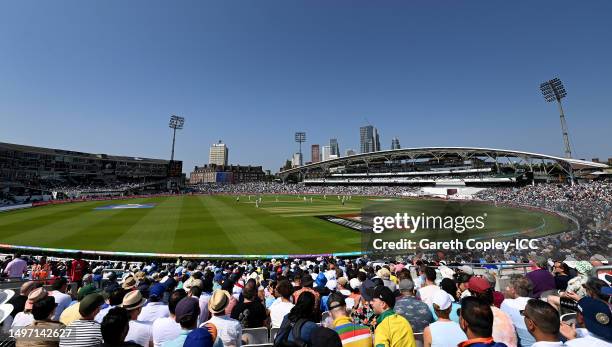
point(443, 332)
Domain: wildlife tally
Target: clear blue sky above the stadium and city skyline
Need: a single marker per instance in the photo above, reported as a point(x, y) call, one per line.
point(104, 76)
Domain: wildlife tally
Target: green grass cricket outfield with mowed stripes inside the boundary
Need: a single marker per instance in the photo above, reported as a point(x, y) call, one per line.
point(221, 225)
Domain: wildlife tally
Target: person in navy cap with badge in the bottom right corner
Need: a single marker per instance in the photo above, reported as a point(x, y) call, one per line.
point(596, 317)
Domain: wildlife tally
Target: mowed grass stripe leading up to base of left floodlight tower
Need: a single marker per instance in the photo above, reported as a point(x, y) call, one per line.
point(154, 230)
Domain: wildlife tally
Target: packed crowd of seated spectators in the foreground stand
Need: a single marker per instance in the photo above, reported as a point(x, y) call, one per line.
point(316, 302)
